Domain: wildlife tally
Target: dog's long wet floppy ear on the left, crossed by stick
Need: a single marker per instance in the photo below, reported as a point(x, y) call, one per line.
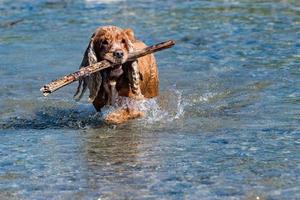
point(93, 82)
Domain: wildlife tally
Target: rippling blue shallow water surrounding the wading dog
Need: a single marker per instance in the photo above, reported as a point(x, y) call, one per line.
point(226, 124)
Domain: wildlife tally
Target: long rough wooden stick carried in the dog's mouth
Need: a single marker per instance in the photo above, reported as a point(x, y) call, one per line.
point(86, 71)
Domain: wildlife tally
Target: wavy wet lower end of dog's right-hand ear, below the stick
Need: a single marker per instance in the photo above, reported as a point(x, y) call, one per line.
point(134, 78)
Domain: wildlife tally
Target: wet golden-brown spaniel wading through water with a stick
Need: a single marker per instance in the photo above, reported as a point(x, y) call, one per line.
point(137, 80)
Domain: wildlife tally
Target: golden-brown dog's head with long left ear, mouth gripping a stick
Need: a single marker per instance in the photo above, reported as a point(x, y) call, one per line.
point(107, 43)
